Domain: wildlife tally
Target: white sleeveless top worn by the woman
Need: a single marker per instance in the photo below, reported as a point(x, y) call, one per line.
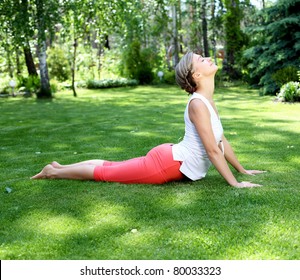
point(191, 151)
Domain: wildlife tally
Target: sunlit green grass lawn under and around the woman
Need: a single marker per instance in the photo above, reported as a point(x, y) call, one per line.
point(207, 219)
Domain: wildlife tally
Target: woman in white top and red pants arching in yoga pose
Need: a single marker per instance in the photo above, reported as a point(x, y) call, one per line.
point(204, 142)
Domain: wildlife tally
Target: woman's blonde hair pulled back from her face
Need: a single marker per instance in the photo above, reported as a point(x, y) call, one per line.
point(183, 73)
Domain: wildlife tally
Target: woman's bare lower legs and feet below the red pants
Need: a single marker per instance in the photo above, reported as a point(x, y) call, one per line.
point(77, 172)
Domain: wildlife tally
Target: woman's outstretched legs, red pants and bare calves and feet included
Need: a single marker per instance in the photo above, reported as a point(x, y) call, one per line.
point(156, 167)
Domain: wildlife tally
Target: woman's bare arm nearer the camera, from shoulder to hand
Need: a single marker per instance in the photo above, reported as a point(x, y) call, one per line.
point(200, 117)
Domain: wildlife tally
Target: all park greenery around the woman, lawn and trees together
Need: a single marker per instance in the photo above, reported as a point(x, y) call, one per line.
point(108, 54)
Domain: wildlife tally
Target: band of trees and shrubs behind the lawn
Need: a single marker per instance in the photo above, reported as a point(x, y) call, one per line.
point(50, 45)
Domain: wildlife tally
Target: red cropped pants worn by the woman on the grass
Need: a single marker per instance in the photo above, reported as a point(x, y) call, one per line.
point(157, 167)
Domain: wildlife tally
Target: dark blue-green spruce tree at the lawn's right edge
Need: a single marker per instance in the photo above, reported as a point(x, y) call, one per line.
point(275, 44)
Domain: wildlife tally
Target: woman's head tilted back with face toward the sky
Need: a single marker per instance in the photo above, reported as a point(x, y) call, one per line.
point(192, 70)
